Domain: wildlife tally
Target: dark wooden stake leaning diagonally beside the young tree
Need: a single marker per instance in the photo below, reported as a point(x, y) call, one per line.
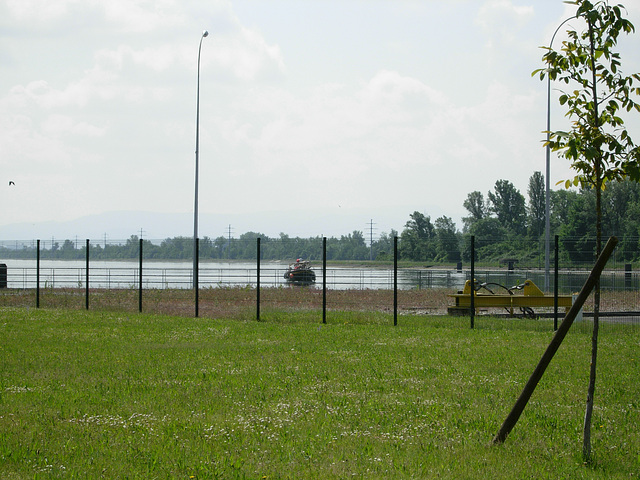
point(562, 331)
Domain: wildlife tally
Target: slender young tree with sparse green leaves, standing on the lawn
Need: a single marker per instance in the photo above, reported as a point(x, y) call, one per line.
point(598, 145)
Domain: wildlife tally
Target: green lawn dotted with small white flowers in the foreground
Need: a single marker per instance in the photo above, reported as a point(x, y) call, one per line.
point(116, 395)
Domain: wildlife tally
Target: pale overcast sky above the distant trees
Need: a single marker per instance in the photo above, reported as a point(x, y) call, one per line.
point(316, 116)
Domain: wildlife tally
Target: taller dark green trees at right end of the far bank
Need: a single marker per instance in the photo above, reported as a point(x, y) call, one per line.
point(506, 225)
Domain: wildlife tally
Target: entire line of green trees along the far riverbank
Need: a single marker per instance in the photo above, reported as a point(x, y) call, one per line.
point(505, 224)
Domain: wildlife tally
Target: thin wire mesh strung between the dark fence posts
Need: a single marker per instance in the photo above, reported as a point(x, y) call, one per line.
point(228, 278)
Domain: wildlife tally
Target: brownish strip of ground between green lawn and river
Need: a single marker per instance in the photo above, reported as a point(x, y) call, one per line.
point(242, 302)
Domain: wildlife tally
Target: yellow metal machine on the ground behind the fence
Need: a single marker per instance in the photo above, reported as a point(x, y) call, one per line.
point(530, 298)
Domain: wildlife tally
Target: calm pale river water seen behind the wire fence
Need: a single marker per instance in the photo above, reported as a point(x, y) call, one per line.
point(163, 274)
